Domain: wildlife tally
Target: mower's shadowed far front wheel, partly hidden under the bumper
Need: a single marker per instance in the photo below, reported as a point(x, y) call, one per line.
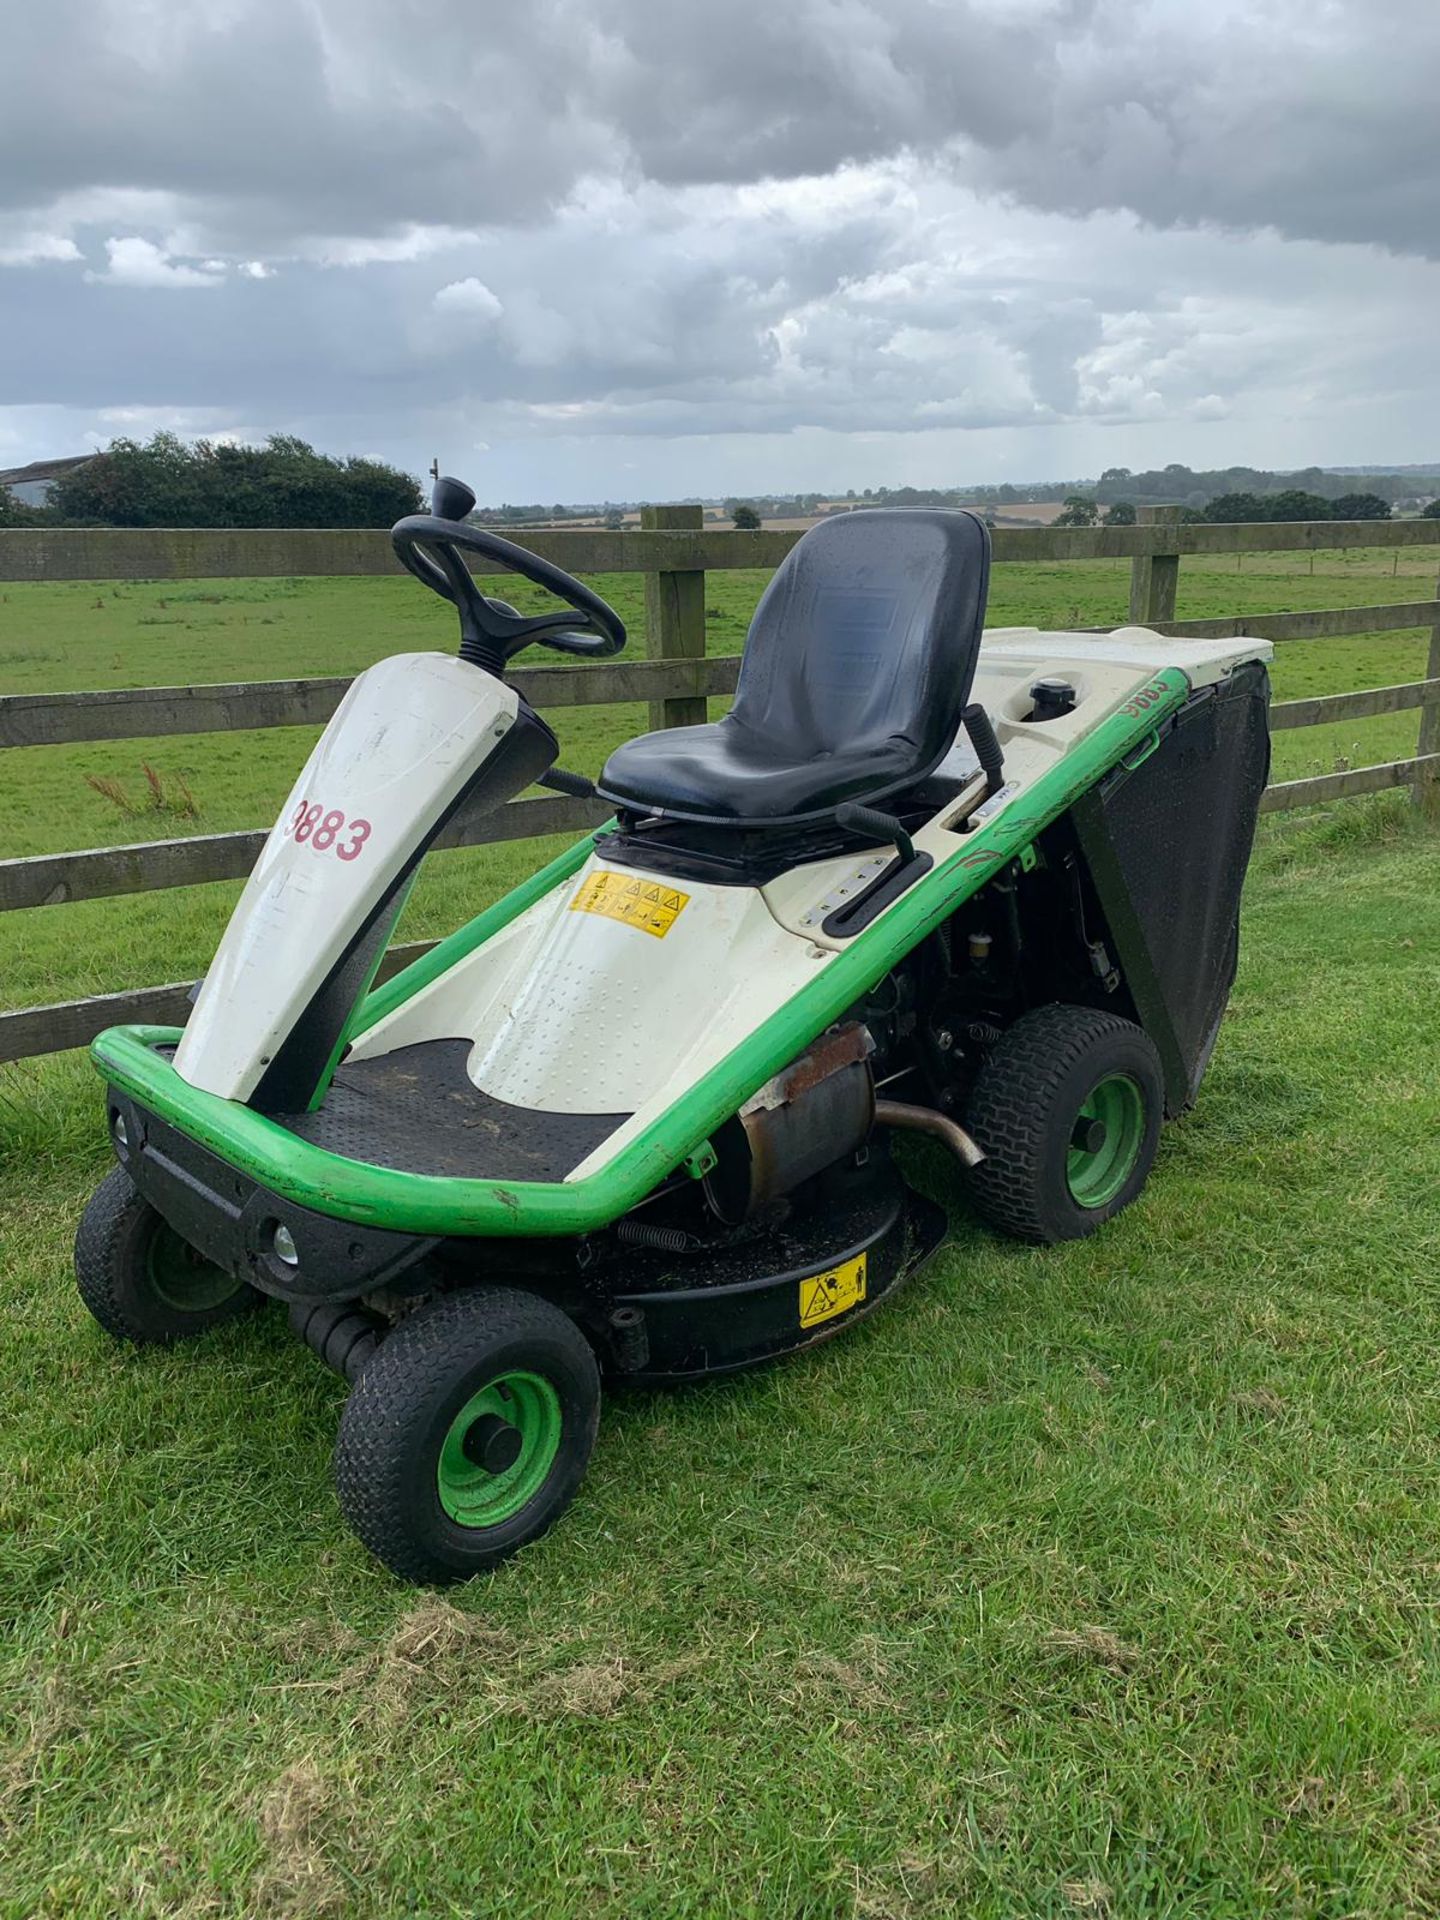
point(141, 1280)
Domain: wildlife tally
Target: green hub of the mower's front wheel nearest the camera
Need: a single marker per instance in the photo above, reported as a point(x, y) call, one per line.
point(500, 1451)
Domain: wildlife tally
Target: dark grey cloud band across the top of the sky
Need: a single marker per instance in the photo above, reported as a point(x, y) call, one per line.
point(272, 124)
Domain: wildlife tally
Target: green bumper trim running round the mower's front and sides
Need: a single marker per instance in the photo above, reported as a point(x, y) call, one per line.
point(418, 1203)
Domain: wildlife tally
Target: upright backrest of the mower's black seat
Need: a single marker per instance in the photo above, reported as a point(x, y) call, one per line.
point(867, 636)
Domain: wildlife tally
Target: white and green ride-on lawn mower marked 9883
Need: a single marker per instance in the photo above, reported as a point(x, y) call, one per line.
point(635, 1122)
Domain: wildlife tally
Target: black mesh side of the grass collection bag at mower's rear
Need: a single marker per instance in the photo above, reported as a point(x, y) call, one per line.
point(1168, 842)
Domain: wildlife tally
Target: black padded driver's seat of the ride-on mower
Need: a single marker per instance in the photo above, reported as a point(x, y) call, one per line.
point(857, 667)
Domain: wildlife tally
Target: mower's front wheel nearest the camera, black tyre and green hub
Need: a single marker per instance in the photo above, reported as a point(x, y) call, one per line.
point(468, 1433)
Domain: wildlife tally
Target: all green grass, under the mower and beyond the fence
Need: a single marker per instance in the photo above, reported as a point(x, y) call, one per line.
point(1080, 1583)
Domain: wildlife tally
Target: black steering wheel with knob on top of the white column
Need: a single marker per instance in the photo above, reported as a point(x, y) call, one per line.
point(431, 546)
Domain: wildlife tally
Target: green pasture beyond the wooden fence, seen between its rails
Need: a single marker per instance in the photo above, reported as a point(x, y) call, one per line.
point(87, 635)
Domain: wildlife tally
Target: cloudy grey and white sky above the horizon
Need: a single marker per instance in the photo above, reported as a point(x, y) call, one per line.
point(640, 249)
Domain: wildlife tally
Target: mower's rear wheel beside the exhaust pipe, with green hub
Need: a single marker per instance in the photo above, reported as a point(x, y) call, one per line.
point(1049, 1174)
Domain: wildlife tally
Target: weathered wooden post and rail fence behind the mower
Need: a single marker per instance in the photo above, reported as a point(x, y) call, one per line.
point(673, 550)
